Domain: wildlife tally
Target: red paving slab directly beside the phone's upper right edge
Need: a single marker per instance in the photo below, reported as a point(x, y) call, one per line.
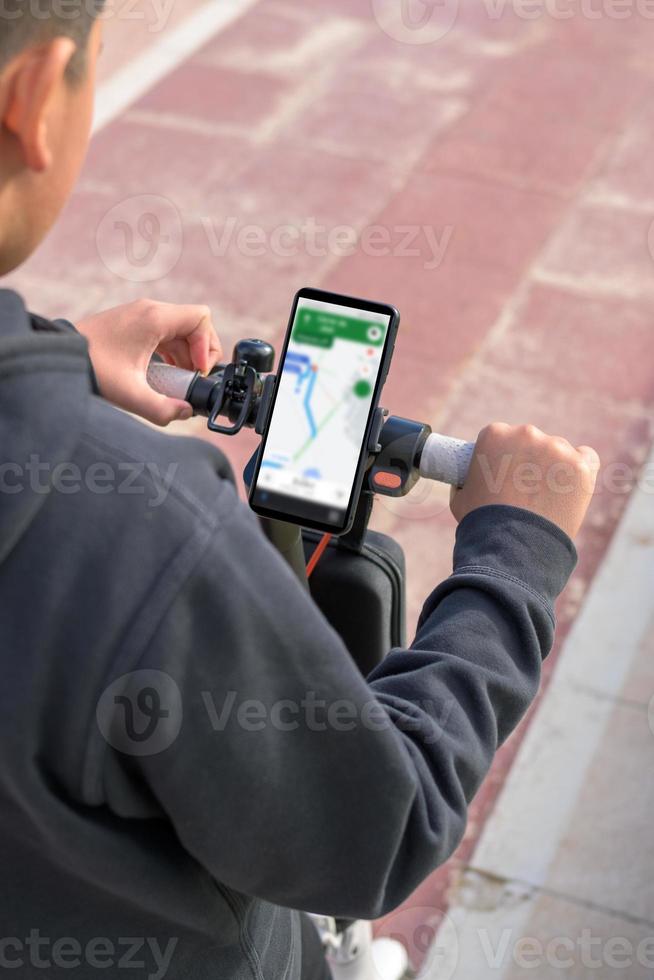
point(486, 235)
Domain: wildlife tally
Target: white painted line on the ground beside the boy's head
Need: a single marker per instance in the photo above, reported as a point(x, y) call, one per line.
point(129, 83)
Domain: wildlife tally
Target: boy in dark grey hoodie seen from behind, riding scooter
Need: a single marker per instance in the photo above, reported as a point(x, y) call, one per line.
point(187, 751)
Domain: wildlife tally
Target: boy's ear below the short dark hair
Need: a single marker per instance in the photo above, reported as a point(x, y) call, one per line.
point(32, 81)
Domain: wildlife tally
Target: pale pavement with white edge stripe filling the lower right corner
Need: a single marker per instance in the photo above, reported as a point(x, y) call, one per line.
point(561, 881)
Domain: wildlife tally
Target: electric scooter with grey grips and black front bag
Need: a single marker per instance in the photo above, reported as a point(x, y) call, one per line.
point(400, 452)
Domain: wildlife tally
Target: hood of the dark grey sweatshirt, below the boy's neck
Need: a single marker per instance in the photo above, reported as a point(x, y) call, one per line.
point(44, 398)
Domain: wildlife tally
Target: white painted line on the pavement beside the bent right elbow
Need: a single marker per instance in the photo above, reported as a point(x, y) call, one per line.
point(536, 807)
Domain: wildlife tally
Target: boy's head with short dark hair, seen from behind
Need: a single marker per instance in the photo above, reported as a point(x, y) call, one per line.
point(48, 53)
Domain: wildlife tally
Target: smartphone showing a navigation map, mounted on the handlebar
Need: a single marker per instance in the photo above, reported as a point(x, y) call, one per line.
point(314, 452)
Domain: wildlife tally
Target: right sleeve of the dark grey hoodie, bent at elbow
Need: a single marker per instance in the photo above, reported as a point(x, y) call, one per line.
point(294, 779)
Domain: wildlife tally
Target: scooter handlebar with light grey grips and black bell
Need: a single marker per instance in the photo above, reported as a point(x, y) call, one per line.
point(239, 392)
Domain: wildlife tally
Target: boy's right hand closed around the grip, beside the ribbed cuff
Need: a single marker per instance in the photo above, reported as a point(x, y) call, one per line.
point(521, 466)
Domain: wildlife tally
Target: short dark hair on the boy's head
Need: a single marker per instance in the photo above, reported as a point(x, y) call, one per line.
point(27, 22)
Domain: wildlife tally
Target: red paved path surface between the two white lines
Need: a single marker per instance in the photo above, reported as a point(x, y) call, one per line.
point(528, 138)
